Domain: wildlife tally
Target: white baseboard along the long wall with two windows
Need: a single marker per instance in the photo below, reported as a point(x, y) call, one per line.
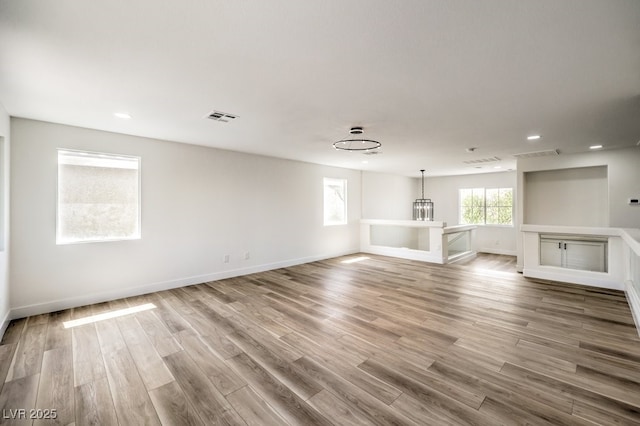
point(88, 299)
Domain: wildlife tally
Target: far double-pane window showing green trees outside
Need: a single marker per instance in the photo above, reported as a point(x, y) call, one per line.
point(491, 206)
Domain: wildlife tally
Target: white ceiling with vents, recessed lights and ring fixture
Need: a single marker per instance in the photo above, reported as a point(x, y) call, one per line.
point(428, 79)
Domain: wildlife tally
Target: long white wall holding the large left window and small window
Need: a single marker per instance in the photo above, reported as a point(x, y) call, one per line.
point(198, 204)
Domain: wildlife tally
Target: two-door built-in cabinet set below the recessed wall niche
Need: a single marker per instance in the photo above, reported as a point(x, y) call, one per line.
point(582, 252)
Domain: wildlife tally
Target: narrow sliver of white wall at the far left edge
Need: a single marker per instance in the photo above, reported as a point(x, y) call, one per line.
point(4, 219)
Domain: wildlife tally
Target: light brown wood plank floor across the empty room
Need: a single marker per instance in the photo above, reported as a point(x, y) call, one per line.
point(379, 341)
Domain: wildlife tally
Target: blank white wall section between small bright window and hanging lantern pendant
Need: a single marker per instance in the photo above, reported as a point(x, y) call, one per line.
point(388, 197)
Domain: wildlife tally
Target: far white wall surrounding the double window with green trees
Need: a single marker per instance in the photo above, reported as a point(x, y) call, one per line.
point(443, 191)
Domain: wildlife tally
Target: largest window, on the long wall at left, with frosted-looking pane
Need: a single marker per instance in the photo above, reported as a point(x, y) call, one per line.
point(98, 197)
